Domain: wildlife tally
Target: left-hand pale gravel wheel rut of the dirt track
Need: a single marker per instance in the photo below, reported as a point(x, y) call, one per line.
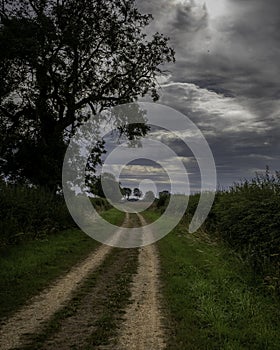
point(30, 318)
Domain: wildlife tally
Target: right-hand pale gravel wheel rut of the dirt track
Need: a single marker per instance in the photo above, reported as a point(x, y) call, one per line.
point(142, 328)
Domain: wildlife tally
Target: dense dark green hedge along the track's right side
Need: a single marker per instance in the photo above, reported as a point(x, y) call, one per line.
point(247, 217)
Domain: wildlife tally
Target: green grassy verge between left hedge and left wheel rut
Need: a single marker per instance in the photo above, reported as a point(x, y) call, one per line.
point(27, 268)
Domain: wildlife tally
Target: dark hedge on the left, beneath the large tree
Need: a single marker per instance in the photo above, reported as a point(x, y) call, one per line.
point(27, 213)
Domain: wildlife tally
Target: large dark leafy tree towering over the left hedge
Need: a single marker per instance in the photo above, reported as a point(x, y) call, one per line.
point(60, 62)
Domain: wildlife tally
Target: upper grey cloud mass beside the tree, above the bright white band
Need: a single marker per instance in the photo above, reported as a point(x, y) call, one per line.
point(237, 53)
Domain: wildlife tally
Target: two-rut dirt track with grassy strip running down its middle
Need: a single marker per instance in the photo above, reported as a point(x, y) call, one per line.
point(139, 328)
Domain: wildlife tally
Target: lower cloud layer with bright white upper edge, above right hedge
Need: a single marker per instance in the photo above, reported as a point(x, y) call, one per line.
point(239, 138)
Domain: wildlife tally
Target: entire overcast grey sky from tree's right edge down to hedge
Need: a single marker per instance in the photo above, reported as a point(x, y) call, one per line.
point(226, 77)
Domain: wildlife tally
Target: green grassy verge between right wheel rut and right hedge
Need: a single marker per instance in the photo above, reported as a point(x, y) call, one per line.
point(212, 300)
